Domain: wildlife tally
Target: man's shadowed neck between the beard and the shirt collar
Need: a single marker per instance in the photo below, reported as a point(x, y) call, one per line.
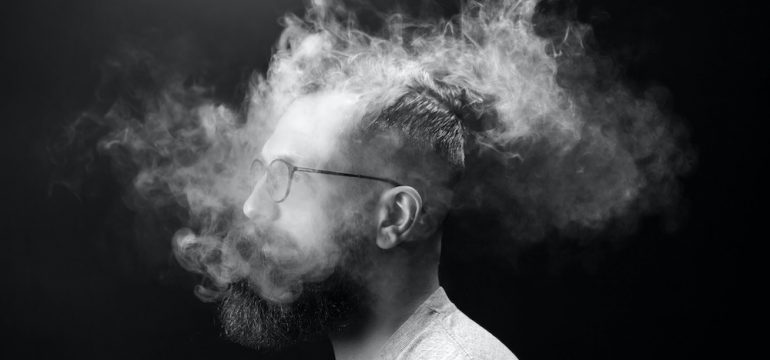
point(399, 288)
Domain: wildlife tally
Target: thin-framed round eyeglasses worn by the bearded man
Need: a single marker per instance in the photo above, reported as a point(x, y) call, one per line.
point(279, 175)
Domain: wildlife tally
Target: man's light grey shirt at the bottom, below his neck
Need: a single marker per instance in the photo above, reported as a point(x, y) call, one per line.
point(438, 330)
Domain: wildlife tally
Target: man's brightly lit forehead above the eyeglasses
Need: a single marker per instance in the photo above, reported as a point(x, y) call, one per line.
point(310, 130)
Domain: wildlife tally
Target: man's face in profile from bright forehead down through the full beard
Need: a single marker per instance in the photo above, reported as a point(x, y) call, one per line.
point(311, 243)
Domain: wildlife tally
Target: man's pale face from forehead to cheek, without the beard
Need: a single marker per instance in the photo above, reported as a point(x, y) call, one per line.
point(307, 135)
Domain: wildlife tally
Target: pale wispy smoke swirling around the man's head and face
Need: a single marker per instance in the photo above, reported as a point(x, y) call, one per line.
point(572, 147)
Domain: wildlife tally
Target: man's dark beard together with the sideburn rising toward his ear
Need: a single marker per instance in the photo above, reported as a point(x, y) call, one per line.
point(333, 305)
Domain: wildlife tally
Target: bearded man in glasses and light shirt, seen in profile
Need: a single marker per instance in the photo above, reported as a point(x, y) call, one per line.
point(377, 184)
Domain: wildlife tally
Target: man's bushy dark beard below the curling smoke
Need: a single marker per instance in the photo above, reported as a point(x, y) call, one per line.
point(325, 307)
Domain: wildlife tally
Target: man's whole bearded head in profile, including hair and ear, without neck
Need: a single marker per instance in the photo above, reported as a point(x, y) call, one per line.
point(326, 234)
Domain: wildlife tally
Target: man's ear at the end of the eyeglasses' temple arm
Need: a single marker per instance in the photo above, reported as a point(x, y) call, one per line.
point(397, 213)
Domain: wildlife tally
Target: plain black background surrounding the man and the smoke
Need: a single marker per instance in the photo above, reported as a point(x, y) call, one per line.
point(80, 279)
